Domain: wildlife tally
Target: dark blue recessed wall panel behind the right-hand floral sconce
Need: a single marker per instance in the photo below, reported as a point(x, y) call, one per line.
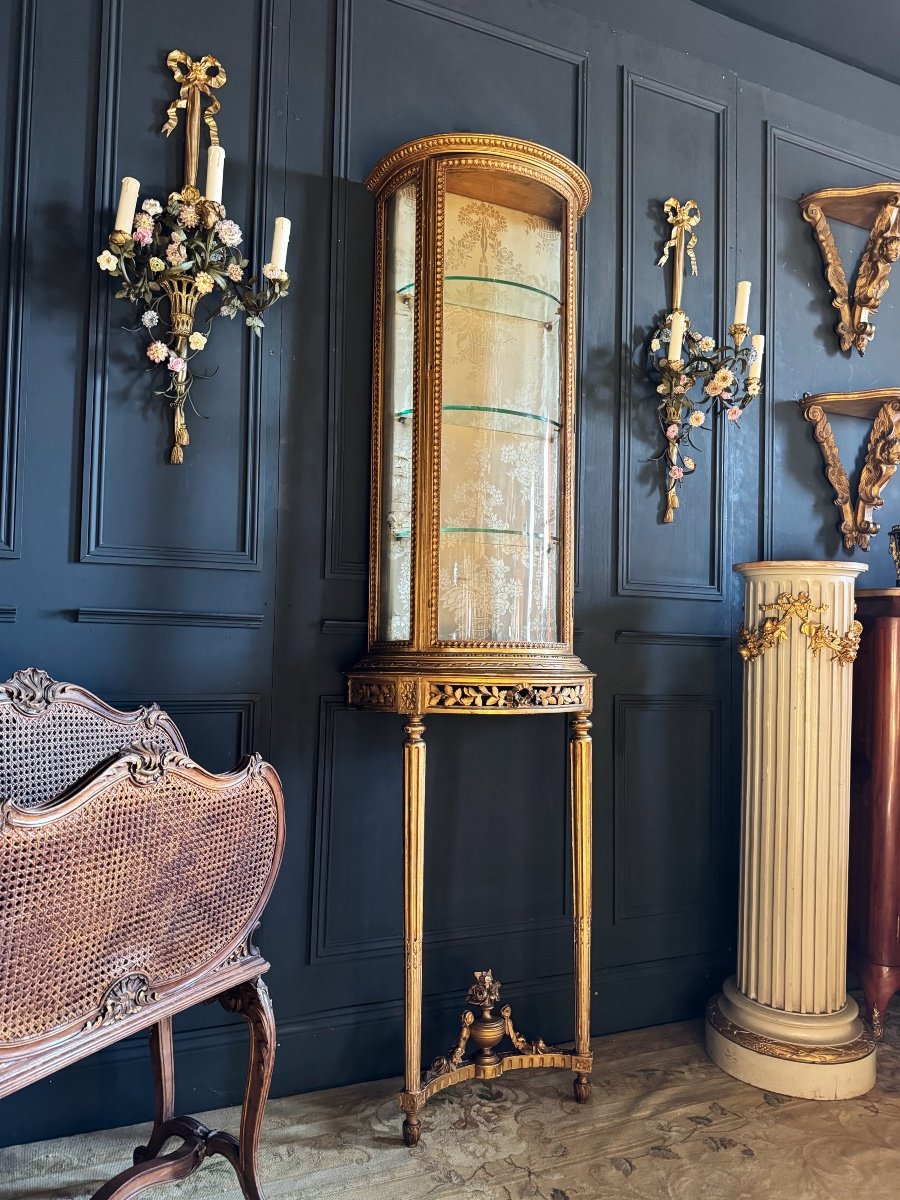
point(677, 143)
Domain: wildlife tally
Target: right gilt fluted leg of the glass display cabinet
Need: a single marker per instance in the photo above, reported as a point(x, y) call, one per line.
point(581, 800)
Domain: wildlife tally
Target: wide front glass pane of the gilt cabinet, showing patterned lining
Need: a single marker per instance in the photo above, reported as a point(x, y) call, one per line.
point(501, 415)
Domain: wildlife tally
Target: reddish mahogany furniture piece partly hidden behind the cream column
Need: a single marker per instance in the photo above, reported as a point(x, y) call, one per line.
point(875, 805)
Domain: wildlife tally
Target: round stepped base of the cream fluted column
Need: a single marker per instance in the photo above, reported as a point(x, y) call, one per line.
point(790, 1065)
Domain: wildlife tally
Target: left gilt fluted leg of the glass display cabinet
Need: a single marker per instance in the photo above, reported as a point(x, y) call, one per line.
point(413, 878)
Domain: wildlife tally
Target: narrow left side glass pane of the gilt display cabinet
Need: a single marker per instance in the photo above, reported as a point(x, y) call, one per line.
point(399, 304)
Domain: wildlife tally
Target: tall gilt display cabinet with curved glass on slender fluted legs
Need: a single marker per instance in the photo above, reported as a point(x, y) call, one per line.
point(473, 453)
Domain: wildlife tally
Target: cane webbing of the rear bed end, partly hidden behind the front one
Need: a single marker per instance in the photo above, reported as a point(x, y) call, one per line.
point(44, 755)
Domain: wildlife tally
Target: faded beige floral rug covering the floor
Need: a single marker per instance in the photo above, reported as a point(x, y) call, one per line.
point(664, 1123)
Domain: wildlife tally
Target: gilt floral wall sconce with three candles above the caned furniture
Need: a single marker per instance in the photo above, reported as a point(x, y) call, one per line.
point(171, 257)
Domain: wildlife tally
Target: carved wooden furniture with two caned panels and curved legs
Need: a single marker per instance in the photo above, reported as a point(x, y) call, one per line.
point(131, 884)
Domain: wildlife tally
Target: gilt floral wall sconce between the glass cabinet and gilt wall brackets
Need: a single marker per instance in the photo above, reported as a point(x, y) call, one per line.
point(681, 361)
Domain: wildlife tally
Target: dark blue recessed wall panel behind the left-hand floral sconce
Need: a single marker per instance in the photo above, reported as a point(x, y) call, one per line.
point(137, 507)
